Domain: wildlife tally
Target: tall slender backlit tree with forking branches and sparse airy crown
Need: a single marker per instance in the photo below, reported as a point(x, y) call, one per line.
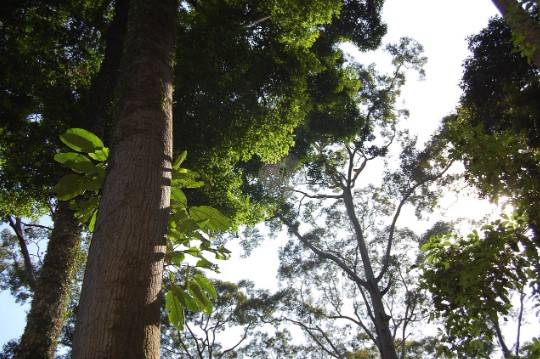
point(337, 244)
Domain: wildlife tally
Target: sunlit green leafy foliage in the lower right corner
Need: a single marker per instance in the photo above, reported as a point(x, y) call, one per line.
point(472, 280)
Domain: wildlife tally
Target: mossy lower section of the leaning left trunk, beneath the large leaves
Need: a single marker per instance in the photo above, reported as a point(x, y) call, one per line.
point(46, 316)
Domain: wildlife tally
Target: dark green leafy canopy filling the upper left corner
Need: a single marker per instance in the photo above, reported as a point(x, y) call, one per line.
point(50, 51)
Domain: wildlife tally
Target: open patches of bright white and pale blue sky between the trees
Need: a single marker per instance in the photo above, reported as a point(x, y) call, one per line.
point(441, 27)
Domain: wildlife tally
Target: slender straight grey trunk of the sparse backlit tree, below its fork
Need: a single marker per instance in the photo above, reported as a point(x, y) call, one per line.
point(381, 319)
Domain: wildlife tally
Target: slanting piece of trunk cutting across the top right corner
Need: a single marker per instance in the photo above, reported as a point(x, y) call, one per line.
point(521, 23)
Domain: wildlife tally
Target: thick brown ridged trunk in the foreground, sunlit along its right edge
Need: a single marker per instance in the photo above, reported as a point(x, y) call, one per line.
point(119, 309)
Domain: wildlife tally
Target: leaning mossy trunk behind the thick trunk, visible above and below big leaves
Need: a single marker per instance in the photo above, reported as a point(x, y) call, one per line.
point(46, 317)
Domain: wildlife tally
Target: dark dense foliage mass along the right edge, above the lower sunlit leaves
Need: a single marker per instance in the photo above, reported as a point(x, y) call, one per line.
point(495, 132)
